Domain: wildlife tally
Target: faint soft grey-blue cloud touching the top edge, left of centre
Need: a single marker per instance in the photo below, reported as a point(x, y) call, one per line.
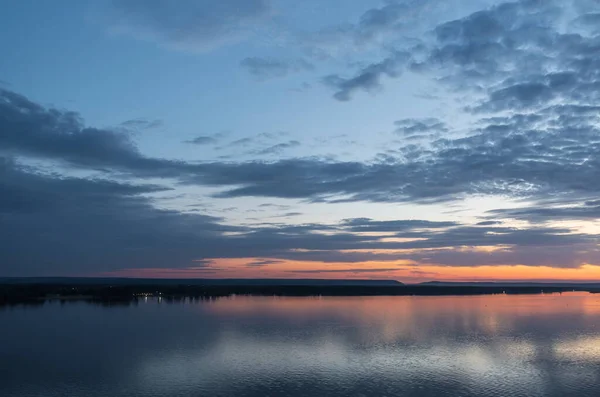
point(189, 24)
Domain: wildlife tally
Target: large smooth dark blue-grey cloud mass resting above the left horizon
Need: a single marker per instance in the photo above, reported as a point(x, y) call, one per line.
point(55, 225)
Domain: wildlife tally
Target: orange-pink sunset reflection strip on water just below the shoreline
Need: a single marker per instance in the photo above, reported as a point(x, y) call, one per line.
point(416, 318)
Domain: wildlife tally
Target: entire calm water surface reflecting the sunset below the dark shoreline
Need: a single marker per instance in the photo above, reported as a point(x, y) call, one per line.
point(543, 345)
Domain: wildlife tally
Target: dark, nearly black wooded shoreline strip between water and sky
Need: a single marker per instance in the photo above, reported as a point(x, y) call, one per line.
point(34, 293)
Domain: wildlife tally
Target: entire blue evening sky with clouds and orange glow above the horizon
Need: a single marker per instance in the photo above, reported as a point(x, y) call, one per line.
point(413, 140)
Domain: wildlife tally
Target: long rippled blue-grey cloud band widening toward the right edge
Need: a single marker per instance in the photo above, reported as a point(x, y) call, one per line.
point(514, 156)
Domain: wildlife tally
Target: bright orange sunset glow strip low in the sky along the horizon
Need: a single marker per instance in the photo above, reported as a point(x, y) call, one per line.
point(404, 270)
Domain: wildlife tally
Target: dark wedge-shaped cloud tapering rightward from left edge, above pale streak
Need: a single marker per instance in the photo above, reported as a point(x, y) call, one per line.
point(27, 128)
